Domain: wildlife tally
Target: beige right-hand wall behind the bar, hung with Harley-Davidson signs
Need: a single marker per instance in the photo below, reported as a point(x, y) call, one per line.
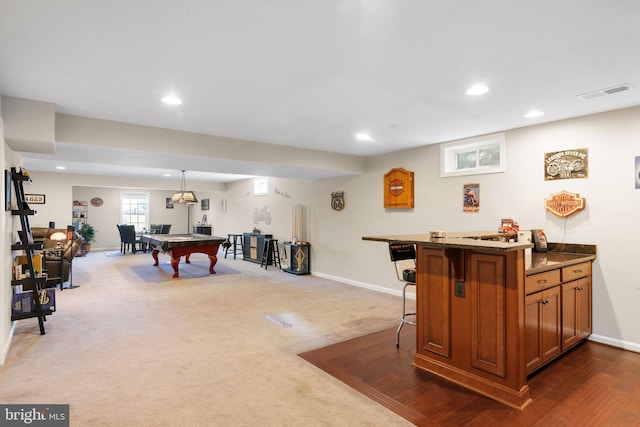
point(609, 219)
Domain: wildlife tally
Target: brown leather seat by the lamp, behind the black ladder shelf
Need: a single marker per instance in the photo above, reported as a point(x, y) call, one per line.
point(59, 270)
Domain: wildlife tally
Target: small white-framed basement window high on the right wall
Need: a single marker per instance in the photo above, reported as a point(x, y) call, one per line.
point(473, 156)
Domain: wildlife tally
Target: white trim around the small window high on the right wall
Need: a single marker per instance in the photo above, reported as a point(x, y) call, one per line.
point(449, 150)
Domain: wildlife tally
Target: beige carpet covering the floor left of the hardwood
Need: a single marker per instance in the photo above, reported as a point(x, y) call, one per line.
point(218, 350)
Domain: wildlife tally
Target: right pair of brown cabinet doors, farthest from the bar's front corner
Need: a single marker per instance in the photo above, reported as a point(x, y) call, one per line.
point(576, 311)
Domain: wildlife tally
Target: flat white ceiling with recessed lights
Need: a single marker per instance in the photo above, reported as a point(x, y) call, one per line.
point(312, 73)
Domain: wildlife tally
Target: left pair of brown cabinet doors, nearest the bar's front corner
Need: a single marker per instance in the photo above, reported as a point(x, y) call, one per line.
point(542, 327)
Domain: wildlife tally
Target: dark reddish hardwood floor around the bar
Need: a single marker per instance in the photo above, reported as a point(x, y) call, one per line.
point(593, 385)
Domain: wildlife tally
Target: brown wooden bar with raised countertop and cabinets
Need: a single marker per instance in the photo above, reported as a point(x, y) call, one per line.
point(490, 311)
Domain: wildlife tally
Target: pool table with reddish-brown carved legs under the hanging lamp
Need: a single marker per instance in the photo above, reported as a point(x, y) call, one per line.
point(178, 245)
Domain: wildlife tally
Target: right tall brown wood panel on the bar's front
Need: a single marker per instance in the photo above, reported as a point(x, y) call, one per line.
point(488, 313)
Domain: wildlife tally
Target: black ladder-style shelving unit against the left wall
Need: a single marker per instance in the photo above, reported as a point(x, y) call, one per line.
point(34, 284)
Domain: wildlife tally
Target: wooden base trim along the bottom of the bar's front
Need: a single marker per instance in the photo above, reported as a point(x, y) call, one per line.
point(518, 399)
